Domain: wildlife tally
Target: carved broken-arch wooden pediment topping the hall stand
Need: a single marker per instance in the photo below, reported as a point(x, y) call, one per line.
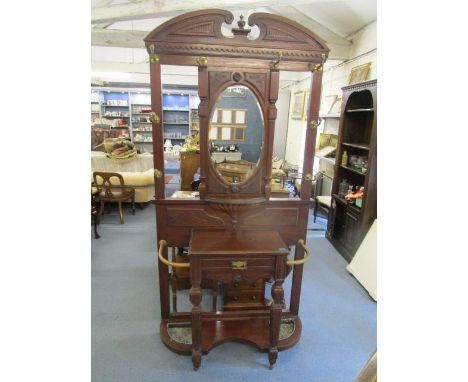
point(199, 33)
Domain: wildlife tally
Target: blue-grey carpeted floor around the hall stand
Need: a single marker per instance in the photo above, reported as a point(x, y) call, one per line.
point(339, 318)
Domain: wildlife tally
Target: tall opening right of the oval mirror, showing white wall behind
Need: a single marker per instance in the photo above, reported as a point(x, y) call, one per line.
point(290, 133)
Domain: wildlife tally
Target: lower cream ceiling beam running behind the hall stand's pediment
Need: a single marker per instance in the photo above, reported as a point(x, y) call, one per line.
point(134, 39)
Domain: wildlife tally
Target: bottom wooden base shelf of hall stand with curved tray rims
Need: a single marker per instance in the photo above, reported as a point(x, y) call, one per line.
point(253, 331)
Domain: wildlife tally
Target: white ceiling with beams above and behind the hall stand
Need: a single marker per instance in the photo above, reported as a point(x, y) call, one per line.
point(118, 27)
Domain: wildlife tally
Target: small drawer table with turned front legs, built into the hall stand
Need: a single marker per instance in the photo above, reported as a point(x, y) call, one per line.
point(236, 257)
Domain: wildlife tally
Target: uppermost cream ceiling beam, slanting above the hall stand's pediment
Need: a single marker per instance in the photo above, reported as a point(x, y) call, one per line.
point(153, 9)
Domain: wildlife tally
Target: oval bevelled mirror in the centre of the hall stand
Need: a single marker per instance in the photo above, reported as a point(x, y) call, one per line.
point(236, 134)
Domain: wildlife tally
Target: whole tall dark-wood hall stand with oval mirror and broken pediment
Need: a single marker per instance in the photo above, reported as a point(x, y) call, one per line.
point(227, 209)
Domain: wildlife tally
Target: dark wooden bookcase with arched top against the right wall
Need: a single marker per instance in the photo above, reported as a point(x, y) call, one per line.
point(348, 223)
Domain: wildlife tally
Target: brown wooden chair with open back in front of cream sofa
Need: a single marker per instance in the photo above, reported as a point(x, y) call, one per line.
point(113, 193)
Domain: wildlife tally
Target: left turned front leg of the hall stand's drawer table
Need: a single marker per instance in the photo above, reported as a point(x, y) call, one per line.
point(195, 299)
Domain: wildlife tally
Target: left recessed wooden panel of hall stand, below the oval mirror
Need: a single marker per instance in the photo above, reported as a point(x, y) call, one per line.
point(184, 217)
